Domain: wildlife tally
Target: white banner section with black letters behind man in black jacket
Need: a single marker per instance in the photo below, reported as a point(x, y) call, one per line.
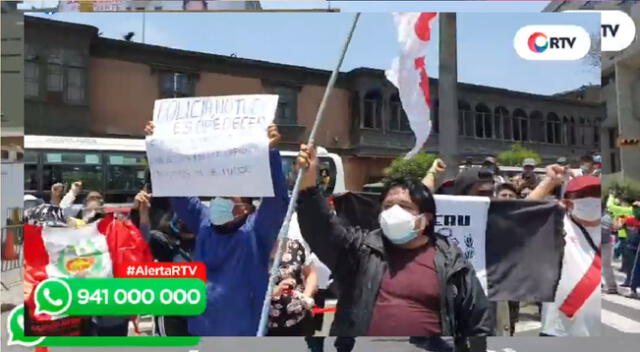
point(464, 220)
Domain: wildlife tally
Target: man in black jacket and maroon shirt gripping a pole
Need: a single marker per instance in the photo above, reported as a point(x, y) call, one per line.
point(401, 280)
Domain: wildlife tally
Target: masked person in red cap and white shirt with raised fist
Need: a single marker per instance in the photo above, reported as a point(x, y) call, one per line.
point(575, 312)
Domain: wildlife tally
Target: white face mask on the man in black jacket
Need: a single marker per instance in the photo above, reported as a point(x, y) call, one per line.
point(398, 225)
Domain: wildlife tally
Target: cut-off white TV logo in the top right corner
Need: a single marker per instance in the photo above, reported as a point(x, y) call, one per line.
point(617, 29)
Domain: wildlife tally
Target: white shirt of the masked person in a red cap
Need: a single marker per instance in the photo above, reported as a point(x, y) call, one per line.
point(578, 258)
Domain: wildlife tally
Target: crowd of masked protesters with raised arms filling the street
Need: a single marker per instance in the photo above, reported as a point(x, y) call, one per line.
point(402, 279)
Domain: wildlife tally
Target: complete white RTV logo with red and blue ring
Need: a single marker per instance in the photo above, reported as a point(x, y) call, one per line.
point(552, 42)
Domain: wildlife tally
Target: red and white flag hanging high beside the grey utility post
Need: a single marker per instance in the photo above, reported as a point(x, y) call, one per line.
point(409, 72)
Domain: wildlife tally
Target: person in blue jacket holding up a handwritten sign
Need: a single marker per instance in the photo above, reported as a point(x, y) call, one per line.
point(234, 240)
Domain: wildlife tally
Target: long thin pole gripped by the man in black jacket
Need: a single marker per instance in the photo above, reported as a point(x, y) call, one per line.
point(284, 230)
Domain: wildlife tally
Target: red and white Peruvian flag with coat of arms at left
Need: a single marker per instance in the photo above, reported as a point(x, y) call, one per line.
point(96, 250)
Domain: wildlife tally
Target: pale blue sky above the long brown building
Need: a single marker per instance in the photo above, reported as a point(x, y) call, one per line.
point(485, 42)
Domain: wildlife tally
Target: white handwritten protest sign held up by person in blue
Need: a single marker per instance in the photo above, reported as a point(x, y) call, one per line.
point(212, 146)
